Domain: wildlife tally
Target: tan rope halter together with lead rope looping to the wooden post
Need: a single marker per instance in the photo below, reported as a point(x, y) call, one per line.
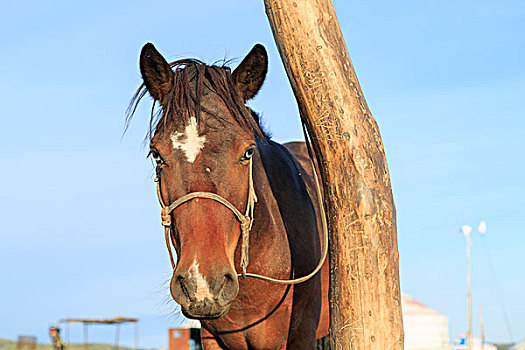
point(246, 220)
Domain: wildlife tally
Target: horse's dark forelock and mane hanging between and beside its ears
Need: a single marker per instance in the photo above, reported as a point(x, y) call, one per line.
point(192, 79)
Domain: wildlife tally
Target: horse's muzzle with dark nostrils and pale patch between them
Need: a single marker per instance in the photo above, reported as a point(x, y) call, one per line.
point(202, 298)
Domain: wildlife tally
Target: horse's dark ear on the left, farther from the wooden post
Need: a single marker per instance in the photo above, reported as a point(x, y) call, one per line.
point(156, 72)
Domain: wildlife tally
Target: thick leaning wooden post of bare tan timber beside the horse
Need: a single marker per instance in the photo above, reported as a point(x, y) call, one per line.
point(365, 301)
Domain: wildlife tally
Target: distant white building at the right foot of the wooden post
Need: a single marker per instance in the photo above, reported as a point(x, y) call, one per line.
point(425, 329)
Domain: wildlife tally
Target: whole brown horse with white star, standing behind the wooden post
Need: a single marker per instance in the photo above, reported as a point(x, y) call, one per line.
point(204, 139)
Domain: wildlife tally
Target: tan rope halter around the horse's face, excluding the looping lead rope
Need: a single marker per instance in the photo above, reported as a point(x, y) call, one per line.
point(246, 220)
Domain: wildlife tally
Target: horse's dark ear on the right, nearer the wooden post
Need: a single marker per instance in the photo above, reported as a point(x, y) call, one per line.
point(249, 76)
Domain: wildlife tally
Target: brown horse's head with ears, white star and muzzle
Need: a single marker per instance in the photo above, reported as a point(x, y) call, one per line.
point(204, 140)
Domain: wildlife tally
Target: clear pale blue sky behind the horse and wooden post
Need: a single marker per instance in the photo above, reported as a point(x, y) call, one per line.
point(80, 233)
